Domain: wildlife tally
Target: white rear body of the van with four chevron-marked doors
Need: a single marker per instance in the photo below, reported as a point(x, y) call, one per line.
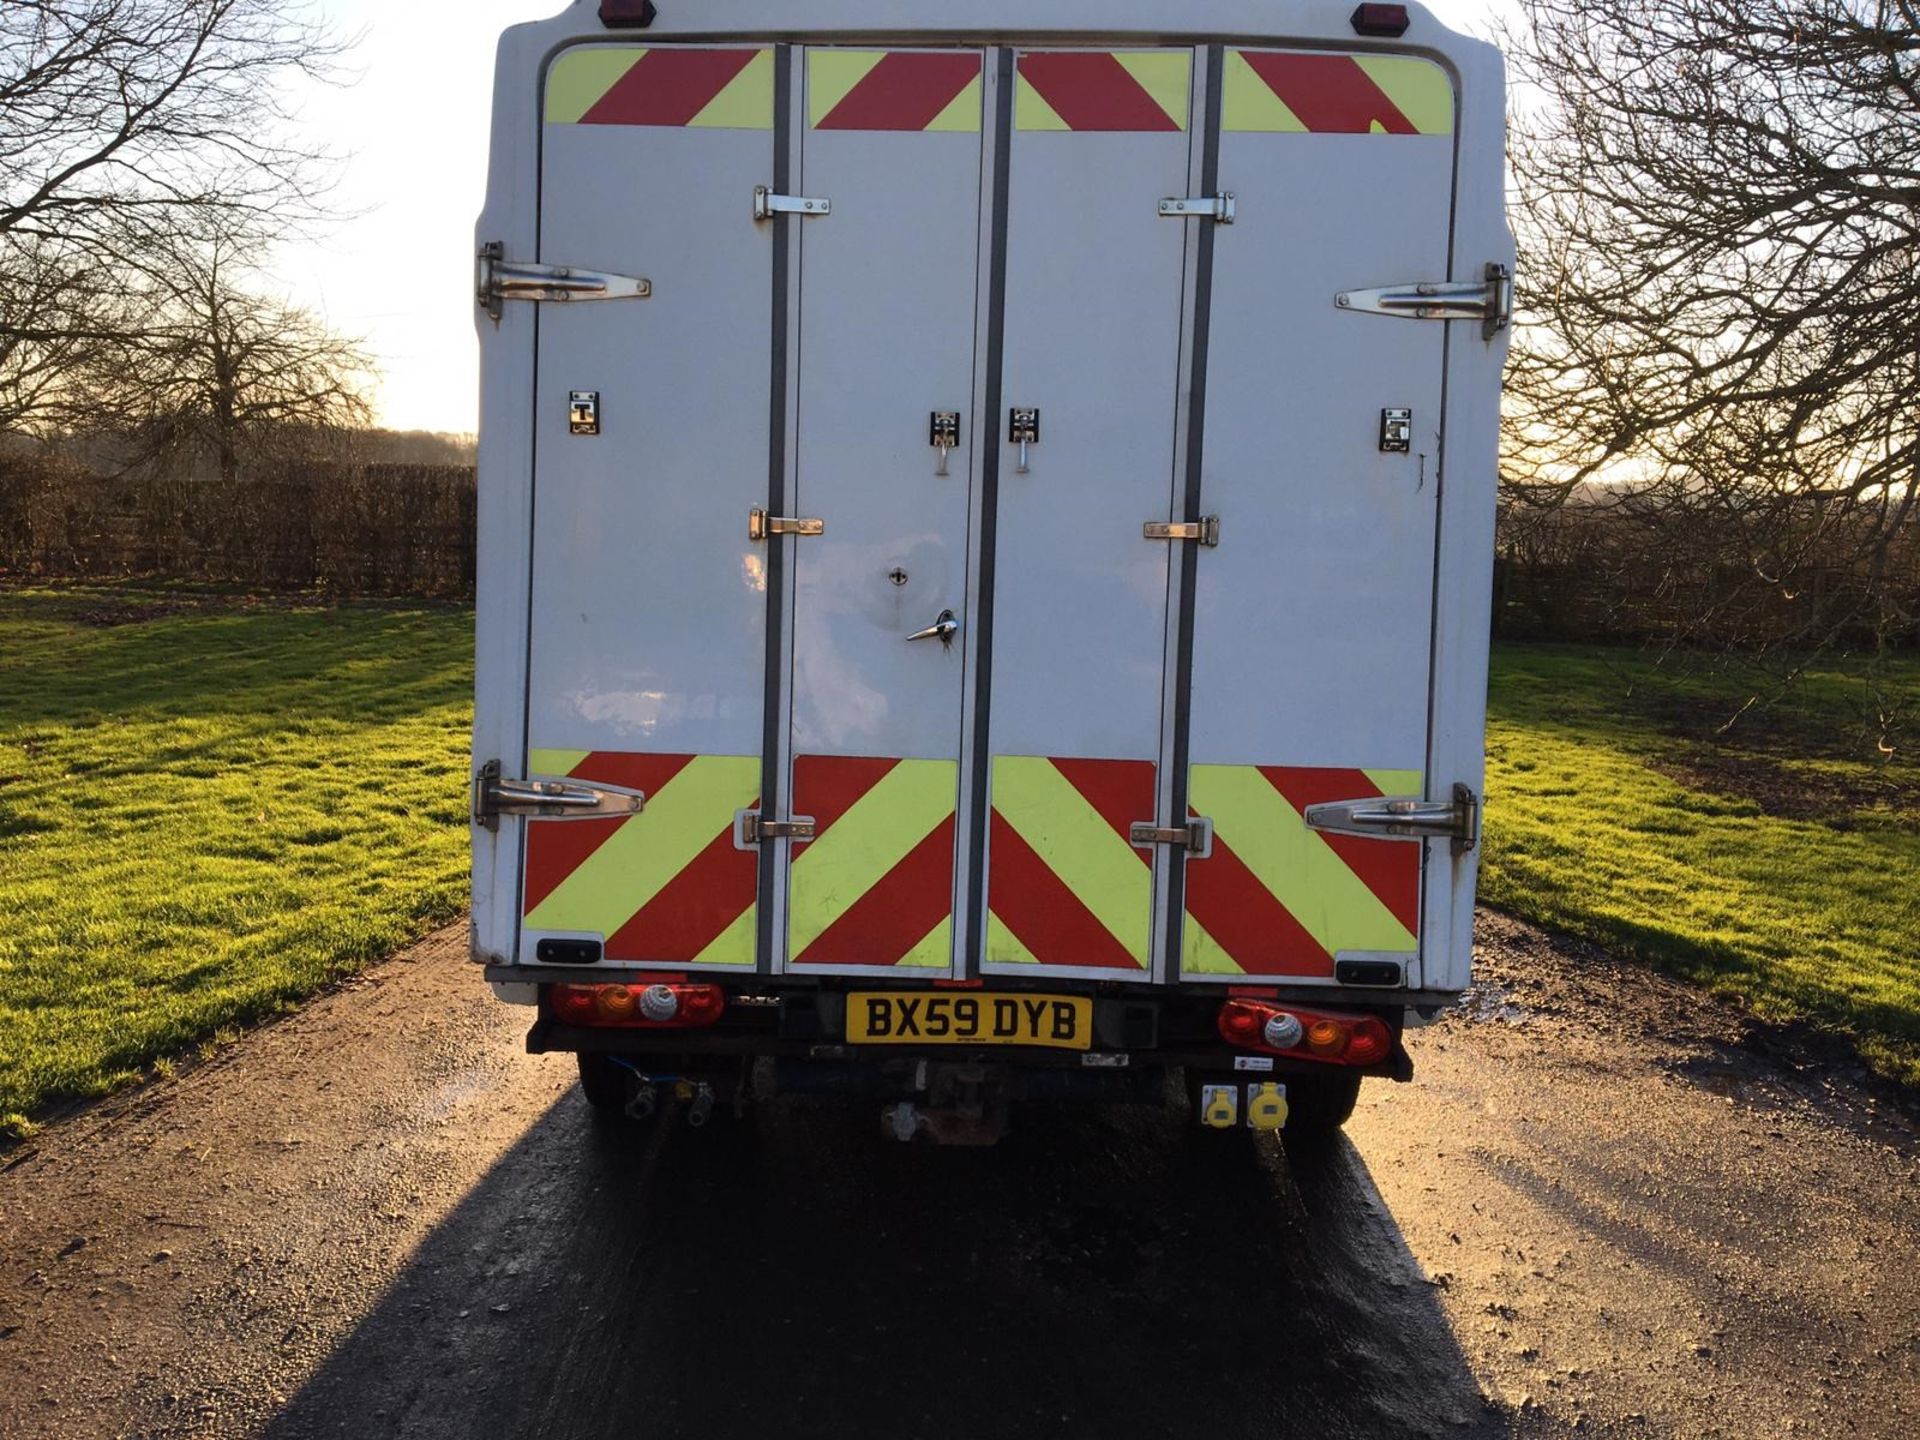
point(1005, 254)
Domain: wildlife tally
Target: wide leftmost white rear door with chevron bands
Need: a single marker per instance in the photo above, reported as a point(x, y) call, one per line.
point(648, 650)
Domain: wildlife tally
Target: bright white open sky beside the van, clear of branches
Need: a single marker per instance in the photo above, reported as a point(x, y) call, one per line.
point(410, 126)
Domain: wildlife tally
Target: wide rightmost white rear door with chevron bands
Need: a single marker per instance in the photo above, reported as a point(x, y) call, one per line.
point(1312, 619)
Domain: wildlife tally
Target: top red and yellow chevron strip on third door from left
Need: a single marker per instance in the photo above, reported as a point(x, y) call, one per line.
point(1103, 91)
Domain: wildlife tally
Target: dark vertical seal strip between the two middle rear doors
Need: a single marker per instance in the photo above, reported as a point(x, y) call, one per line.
point(990, 481)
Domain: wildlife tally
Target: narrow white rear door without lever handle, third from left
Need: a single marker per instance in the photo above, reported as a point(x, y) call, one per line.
point(1093, 347)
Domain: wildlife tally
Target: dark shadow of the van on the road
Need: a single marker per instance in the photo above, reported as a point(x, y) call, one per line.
point(1099, 1274)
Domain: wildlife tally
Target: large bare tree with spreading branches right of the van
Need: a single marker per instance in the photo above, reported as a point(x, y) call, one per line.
point(1719, 208)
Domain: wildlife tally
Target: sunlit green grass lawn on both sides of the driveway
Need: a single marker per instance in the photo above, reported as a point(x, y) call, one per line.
point(212, 807)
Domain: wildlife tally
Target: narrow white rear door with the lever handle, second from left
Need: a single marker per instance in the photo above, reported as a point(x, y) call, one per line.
point(886, 366)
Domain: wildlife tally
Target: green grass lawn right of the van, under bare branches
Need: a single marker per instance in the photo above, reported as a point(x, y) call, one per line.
point(1777, 863)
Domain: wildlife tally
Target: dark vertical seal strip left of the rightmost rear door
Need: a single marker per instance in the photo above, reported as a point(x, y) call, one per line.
point(1216, 64)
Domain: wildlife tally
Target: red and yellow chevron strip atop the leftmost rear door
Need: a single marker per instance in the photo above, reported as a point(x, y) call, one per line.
point(677, 87)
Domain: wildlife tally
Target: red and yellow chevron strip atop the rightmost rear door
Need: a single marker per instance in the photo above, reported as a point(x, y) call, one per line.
point(1287, 91)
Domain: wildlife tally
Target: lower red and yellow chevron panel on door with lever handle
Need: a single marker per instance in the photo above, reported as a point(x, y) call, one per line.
point(876, 884)
